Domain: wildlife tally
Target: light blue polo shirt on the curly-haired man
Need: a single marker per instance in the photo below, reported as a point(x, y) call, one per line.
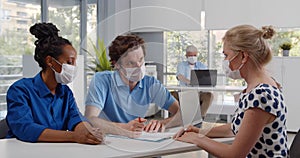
point(117, 103)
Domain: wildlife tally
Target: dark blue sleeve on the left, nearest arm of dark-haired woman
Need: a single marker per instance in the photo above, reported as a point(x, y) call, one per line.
point(19, 115)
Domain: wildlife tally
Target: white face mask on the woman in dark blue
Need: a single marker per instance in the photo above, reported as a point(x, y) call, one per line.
point(67, 74)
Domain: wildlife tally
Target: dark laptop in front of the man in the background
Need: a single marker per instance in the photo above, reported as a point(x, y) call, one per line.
point(206, 77)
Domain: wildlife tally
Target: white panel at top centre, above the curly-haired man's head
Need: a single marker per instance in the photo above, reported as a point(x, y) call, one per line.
point(160, 15)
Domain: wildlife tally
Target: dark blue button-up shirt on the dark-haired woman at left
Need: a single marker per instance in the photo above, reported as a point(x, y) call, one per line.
point(31, 108)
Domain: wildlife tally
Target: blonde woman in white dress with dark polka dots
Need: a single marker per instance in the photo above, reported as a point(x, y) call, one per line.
point(259, 124)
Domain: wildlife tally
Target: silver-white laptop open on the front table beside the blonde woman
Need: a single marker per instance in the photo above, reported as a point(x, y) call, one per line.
point(190, 108)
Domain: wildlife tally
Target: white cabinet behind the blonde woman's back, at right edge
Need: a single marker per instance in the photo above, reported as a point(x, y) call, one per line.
point(286, 71)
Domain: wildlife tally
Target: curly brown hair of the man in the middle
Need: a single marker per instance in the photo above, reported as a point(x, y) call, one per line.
point(122, 44)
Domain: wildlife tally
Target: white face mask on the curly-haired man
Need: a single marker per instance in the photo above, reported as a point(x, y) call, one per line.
point(135, 74)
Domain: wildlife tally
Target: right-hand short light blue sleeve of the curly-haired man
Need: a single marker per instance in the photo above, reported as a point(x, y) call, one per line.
point(161, 96)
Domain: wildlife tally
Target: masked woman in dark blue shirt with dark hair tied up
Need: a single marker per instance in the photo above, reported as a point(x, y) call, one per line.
point(42, 108)
